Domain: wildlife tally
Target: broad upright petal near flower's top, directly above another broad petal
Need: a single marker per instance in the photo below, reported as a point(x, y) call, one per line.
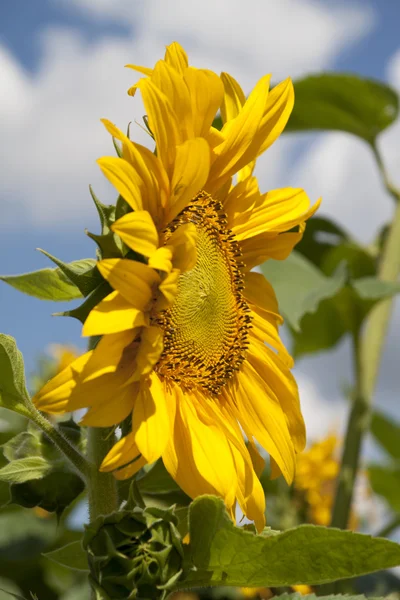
point(206, 93)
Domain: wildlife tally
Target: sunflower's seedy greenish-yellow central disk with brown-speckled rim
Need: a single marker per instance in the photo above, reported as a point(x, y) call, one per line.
point(206, 328)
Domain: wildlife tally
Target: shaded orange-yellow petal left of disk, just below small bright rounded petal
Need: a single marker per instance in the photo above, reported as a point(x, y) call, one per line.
point(132, 279)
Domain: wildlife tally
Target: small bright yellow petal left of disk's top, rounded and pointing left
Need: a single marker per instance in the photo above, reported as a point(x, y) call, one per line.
point(138, 232)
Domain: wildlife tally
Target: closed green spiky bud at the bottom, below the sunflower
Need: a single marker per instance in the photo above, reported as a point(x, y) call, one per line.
point(134, 554)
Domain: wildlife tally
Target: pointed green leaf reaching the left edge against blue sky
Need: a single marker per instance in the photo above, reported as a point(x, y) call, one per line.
point(45, 284)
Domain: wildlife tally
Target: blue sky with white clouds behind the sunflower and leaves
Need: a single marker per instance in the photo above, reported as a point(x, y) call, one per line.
point(62, 70)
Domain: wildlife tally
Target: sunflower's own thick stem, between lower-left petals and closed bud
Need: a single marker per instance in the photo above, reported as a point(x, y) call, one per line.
point(102, 487)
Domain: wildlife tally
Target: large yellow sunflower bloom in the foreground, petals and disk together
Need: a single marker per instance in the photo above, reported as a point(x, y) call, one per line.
point(190, 346)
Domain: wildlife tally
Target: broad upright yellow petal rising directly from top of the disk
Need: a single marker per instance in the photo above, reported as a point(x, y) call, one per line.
point(191, 170)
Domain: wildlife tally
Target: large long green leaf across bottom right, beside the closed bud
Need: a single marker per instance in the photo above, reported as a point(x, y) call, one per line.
point(223, 554)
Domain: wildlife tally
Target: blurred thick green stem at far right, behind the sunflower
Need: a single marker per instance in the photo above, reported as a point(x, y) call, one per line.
point(368, 352)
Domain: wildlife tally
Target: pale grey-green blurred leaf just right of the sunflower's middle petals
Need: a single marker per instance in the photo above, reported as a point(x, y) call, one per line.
point(300, 286)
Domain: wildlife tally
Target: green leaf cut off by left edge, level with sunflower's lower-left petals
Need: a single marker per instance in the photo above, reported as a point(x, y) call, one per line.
point(13, 393)
